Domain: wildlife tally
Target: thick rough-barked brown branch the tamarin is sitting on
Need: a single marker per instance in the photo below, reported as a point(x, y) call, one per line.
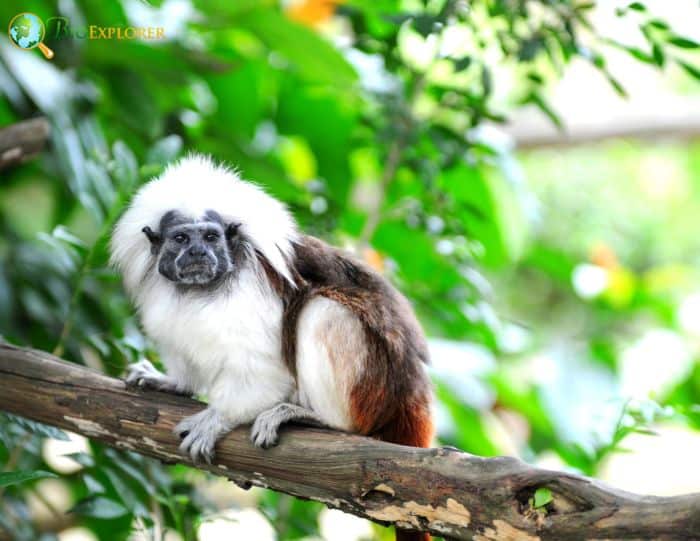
point(443, 491)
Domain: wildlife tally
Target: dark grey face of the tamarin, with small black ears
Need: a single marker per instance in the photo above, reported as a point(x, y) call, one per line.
point(193, 252)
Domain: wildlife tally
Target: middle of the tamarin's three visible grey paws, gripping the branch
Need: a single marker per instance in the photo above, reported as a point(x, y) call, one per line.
point(199, 434)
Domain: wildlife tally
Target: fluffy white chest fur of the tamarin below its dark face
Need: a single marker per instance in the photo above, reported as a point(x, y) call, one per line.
point(226, 346)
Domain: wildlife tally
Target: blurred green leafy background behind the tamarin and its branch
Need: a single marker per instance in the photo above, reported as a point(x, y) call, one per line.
point(524, 171)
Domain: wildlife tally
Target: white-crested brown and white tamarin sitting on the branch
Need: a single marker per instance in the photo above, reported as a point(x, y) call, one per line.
point(269, 324)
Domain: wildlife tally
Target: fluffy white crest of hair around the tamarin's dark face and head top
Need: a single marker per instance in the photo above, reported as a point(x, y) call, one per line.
point(192, 186)
